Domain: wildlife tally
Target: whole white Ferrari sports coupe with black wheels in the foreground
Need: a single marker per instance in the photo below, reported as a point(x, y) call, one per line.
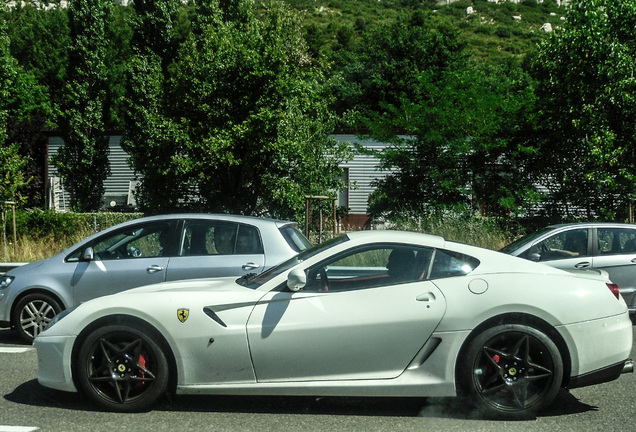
point(371, 313)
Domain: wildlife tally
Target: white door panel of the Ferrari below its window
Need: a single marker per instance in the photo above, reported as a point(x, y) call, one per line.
point(359, 334)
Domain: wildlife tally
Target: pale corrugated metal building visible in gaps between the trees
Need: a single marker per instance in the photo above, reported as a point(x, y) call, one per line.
point(360, 173)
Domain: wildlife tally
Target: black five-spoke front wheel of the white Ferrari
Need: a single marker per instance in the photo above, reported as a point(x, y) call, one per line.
point(121, 368)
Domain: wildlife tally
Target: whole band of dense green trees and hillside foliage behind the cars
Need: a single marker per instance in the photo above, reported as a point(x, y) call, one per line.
point(227, 105)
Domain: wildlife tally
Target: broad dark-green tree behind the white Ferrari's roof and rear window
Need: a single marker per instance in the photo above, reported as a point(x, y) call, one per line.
point(459, 145)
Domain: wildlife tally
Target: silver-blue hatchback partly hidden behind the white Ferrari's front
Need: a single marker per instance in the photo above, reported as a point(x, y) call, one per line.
point(141, 252)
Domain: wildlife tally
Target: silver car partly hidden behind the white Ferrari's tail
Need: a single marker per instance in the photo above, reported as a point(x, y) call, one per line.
point(607, 246)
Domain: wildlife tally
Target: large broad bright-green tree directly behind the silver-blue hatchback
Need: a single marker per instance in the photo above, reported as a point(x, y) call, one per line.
point(240, 124)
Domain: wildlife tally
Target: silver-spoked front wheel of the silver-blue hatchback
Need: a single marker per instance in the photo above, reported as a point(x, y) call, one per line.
point(33, 313)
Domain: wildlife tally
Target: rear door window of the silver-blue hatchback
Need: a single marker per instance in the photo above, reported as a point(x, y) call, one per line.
point(202, 237)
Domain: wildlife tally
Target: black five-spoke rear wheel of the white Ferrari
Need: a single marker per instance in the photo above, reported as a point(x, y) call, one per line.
point(511, 371)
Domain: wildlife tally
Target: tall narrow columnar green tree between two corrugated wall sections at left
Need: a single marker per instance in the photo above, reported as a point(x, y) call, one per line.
point(83, 160)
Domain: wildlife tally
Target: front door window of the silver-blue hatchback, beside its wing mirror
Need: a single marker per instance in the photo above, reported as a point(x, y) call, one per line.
point(147, 241)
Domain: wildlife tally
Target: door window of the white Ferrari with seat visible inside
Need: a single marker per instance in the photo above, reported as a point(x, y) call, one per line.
point(377, 266)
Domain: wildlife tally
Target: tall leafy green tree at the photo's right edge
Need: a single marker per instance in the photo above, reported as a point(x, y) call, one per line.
point(586, 89)
